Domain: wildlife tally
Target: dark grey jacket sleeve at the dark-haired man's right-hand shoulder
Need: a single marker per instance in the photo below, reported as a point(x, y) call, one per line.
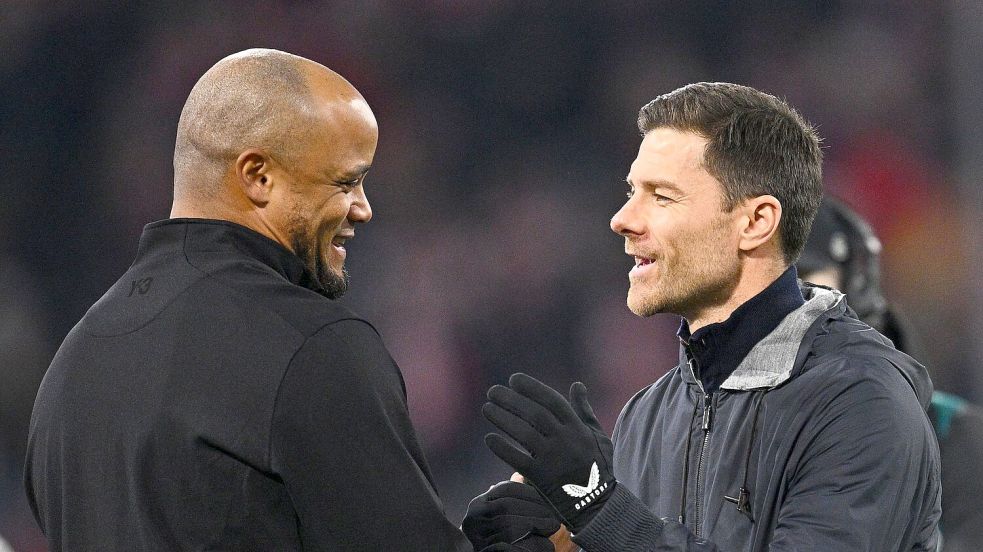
point(869, 467)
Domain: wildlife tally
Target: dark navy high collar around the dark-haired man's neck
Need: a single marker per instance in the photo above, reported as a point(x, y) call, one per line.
point(716, 350)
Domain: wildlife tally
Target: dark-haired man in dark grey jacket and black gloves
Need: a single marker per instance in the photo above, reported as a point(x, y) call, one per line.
point(788, 424)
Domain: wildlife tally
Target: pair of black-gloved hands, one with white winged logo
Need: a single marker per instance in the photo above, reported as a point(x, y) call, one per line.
point(565, 461)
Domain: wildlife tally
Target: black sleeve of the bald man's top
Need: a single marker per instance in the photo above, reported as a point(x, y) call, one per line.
point(344, 446)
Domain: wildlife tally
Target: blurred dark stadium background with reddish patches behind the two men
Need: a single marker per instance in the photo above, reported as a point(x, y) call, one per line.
point(507, 128)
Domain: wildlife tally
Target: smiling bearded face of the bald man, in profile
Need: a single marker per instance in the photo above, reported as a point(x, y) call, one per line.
point(324, 196)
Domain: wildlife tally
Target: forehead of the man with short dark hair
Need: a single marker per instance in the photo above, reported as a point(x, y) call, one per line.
point(669, 154)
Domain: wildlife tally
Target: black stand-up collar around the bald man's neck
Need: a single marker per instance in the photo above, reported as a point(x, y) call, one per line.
point(192, 235)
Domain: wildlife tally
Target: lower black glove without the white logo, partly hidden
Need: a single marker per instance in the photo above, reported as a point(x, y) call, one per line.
point(510, 513)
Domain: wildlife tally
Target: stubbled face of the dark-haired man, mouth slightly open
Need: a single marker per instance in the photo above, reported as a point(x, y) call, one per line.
point(684, 244)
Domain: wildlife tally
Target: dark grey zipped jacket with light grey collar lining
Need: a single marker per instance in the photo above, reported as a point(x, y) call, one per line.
point(817, 441)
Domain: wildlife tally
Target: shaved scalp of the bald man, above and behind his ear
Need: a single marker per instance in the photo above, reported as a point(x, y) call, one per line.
point(257, 98)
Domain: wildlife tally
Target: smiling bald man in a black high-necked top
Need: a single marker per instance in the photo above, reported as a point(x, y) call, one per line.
point(216, 398)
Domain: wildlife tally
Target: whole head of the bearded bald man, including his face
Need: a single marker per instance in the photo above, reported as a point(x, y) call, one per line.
point(281, 145)
